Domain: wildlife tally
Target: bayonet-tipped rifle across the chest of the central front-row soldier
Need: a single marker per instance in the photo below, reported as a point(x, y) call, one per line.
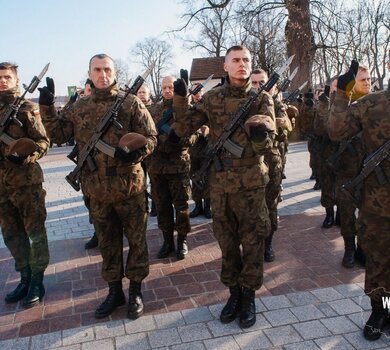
point(236, 121)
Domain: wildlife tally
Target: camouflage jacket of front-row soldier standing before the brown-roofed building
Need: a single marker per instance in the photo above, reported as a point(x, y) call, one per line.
point(216, 110)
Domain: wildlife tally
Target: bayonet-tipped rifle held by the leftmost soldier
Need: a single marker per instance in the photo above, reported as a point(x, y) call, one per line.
point(10, 112)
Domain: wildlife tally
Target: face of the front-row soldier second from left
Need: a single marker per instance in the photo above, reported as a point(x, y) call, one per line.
point(102, 72)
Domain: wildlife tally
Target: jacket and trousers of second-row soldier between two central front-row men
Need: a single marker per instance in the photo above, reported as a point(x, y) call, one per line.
point(168, 168)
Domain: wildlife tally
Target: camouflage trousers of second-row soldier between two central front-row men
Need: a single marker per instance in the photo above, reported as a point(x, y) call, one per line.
point(171, 192)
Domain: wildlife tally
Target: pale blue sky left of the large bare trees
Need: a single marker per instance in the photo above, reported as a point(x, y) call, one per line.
point(67, 33)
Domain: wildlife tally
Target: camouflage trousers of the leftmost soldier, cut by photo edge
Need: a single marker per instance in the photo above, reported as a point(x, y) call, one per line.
point(22, 219)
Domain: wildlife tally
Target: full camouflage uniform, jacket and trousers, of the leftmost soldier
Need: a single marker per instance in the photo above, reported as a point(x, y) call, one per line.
point(22, 198)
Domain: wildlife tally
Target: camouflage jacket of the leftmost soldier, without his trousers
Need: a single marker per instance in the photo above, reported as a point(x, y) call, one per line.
point(30, 173)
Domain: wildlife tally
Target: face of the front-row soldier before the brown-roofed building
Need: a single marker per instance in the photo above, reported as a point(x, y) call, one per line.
point(238, 65)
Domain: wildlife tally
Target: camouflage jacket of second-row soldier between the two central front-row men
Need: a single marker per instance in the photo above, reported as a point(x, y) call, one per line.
point(168, 157)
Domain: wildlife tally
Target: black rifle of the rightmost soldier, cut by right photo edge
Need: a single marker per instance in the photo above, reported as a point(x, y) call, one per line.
point(370, 164)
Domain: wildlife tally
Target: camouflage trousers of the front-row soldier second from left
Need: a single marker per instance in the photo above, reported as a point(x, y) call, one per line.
point(112, 221)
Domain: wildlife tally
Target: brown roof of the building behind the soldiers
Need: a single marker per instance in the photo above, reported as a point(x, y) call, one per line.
point(201, 68)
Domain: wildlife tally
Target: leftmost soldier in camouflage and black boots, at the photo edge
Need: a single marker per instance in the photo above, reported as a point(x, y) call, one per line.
point(22, 198)
